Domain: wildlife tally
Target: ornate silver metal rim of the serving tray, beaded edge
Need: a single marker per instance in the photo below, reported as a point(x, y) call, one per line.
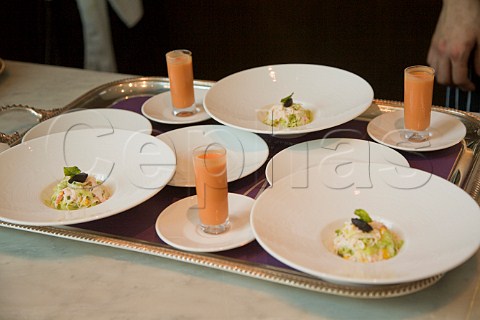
point(465, 173)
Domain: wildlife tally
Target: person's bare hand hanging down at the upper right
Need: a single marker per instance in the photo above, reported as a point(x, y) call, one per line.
point(455, 39)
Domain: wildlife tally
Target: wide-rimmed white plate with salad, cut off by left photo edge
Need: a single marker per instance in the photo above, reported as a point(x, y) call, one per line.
point(133, 166)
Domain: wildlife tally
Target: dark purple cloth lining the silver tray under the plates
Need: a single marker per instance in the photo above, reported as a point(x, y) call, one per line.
point(139, 222)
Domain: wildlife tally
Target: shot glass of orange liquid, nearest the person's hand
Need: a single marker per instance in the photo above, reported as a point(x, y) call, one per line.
point(418, 92)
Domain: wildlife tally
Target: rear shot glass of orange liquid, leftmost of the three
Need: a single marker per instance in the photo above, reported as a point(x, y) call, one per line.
point(180, 74)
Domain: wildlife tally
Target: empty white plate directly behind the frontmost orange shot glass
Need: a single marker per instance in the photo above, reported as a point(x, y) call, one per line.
point(246, 152)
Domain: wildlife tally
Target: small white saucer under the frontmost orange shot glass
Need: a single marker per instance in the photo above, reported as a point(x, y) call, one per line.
point(178, 226)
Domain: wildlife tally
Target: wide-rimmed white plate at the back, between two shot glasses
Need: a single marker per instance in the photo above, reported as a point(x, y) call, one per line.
point(334, 96)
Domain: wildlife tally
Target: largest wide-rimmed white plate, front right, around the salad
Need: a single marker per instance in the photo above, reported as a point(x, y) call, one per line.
point(438, 222)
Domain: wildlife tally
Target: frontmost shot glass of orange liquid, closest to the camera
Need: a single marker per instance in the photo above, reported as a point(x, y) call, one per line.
point(210, 166)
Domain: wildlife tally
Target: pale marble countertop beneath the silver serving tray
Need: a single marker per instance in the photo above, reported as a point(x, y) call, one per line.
point(44, 277)
